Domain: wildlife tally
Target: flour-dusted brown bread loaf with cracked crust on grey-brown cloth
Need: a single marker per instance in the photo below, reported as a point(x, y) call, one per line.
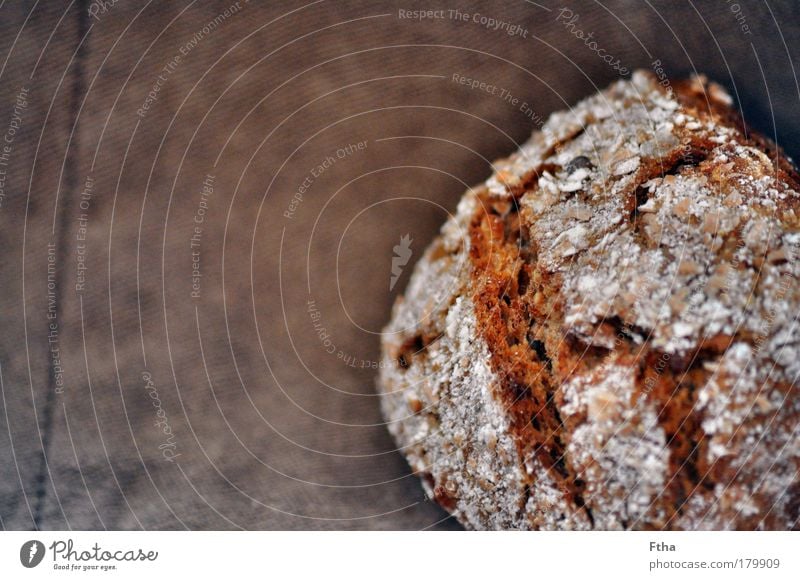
point(605, 335)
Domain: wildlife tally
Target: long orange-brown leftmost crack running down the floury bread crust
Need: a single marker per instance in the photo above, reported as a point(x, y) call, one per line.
point(510, 296)
